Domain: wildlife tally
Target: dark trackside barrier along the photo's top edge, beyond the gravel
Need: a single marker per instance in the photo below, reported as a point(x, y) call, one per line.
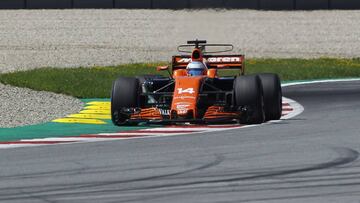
point(182, 4)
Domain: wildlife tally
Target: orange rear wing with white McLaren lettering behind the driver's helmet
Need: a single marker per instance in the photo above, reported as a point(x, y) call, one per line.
point(212, 61)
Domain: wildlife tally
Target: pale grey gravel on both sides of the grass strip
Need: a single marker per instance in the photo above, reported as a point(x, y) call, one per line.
point(72, 38)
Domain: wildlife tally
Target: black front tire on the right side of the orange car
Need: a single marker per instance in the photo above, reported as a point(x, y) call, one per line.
point(248, 94)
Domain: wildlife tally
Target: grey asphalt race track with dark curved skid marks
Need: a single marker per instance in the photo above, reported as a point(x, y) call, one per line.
point(310, 158)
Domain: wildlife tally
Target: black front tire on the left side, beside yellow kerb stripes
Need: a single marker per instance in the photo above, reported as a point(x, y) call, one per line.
point(124, 94)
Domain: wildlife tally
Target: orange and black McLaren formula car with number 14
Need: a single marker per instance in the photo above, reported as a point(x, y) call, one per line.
point(195, 93)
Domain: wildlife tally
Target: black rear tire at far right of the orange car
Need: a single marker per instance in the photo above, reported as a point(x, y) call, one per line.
point(272, 96)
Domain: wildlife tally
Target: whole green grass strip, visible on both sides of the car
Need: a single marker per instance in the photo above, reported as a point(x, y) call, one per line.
point(96, 82)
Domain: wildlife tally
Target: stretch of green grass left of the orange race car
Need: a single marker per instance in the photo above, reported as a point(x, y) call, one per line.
point(81, 82)
